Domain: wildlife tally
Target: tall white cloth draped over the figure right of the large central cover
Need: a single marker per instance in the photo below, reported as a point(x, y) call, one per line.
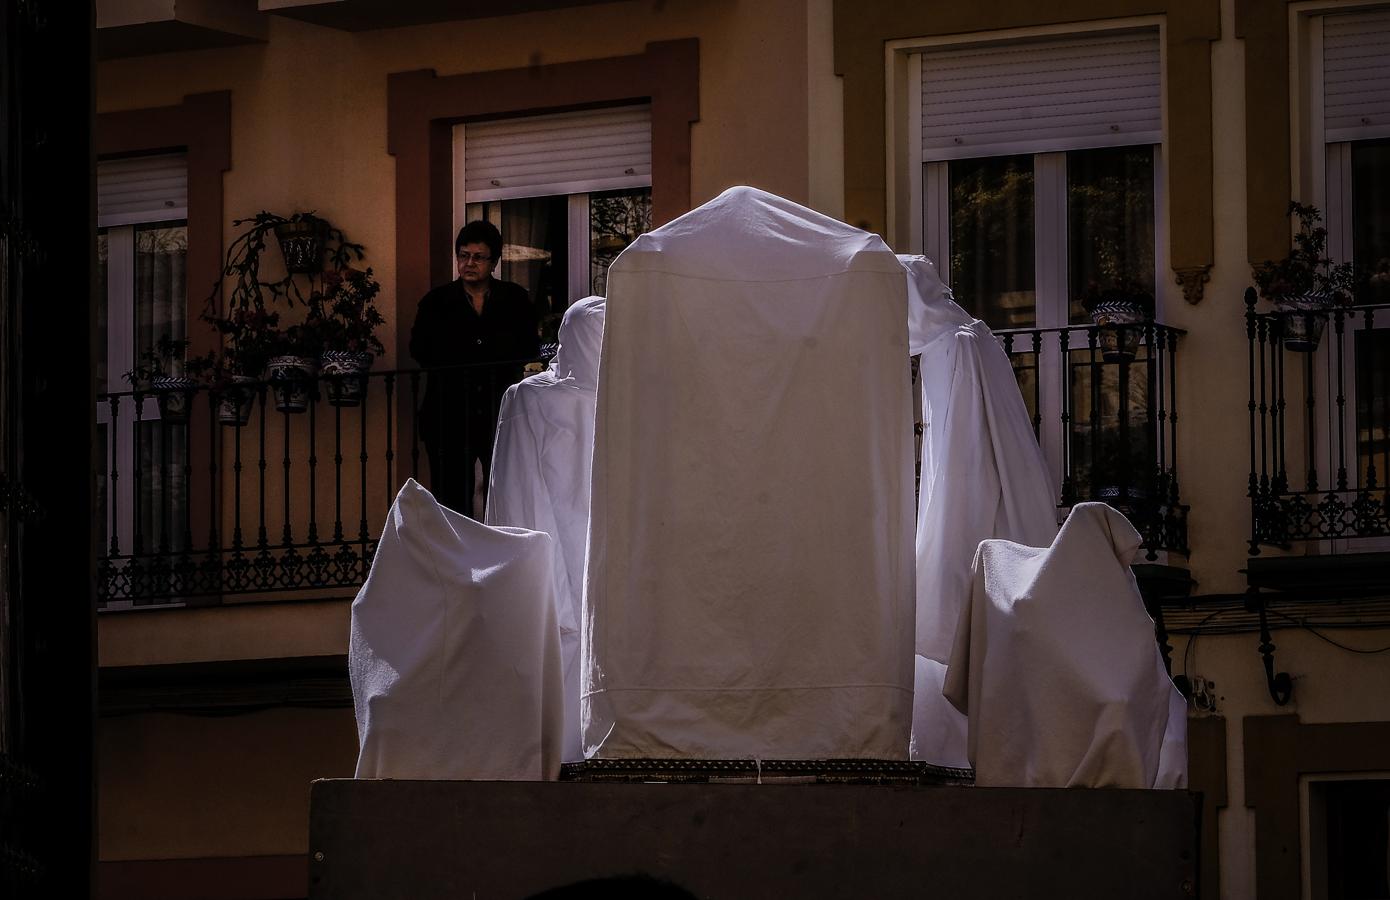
point(983, 475)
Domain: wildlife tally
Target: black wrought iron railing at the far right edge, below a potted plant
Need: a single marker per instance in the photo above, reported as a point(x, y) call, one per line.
point(1320, 421)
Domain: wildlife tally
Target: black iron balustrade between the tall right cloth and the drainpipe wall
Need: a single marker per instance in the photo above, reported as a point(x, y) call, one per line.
point(1104, 408)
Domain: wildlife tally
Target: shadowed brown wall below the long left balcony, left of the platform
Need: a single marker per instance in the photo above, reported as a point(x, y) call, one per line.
point(183, 787)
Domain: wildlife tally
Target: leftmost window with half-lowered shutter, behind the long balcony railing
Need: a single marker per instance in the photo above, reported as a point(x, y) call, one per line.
point(142, 251)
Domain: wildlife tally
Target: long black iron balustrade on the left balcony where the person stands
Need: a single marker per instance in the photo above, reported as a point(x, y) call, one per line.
point(220, 492)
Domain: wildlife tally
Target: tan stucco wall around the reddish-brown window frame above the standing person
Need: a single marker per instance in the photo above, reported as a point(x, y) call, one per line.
point(309, 108)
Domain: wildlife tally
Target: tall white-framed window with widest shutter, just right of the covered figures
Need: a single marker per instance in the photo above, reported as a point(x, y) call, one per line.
point(1040, 165)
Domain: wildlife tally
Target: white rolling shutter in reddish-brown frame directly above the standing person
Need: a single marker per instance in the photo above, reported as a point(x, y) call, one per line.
point(555, 155)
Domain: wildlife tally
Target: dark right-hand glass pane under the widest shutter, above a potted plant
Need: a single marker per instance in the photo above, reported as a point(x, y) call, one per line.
point(1110, 223)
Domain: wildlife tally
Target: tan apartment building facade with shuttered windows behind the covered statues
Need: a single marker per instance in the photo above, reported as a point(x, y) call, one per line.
point(1040, 154)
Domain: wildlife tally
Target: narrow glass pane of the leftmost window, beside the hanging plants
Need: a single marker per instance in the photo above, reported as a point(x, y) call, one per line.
point(161, 303)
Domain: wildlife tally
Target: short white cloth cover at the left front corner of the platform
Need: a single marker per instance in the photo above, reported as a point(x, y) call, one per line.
point(454, 654)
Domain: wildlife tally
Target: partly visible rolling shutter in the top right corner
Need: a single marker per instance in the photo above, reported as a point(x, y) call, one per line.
point(1356, 84)
